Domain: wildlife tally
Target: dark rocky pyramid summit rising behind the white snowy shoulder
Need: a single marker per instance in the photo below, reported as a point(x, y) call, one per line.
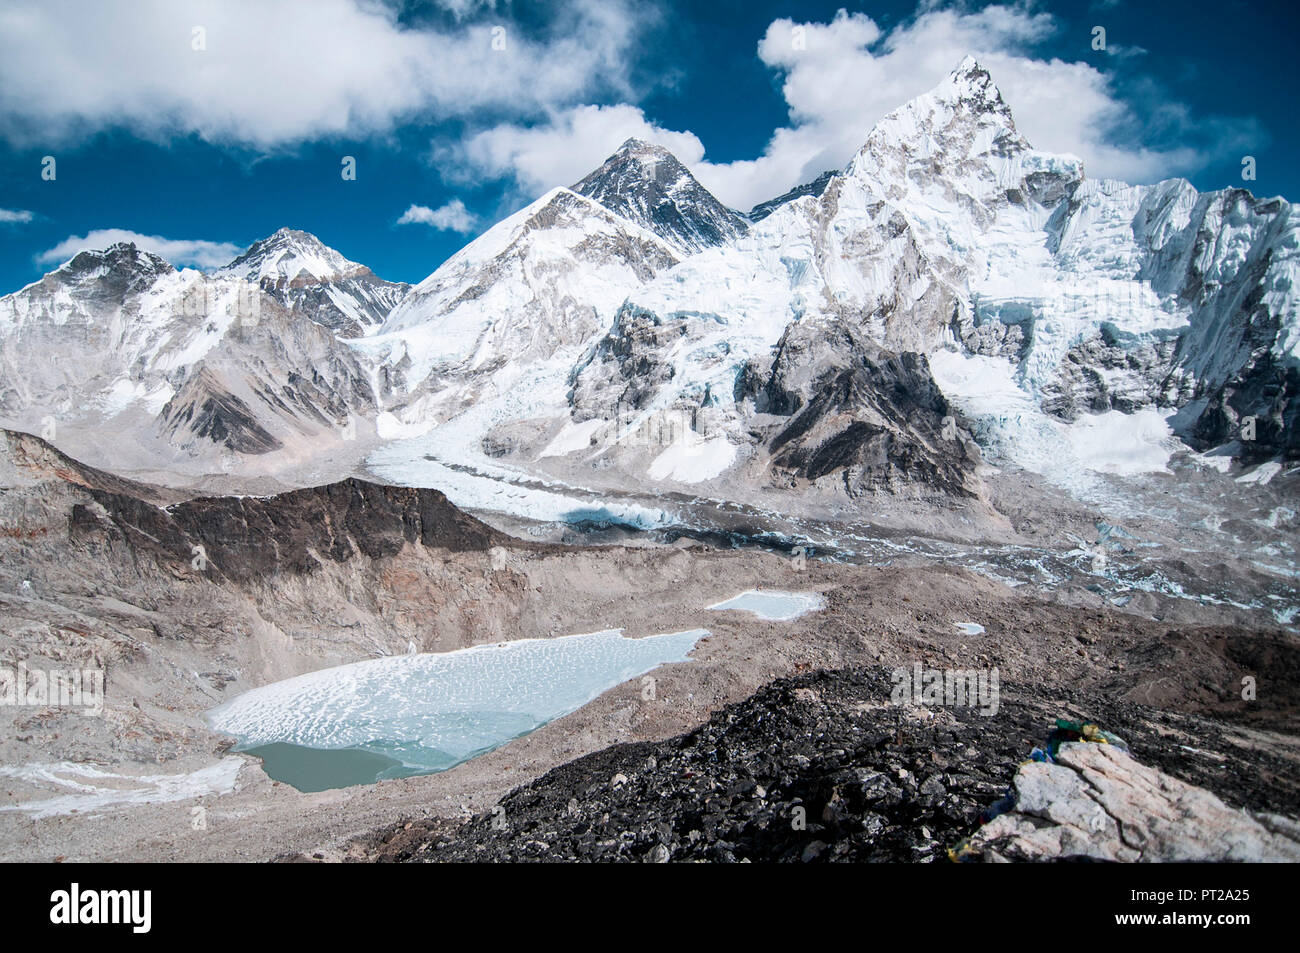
point(648, 185)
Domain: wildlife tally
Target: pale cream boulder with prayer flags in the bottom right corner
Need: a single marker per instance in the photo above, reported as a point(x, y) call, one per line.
point(1098, 803)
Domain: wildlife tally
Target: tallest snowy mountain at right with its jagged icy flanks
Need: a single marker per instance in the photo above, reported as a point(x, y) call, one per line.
point(950, 235)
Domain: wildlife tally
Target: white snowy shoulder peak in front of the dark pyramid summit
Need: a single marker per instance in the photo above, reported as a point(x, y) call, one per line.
point(527, 293)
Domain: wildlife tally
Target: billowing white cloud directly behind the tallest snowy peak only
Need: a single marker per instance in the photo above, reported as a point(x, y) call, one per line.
point(851, 73)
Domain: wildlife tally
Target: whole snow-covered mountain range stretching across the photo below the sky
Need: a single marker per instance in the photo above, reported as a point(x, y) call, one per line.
point(634, 330)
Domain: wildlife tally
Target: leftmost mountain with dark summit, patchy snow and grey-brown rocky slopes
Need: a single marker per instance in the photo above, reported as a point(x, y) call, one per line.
point(140, 366)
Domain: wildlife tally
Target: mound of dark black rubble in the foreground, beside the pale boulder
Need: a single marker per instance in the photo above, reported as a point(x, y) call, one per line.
point(822, 768)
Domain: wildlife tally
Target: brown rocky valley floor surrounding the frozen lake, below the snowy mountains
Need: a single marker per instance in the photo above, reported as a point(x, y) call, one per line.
point(1193, 599)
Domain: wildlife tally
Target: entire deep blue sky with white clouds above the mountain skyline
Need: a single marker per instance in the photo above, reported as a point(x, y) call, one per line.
point(460, 112)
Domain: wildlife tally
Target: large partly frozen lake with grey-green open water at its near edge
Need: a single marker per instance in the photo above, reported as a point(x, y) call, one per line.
point(417, 714)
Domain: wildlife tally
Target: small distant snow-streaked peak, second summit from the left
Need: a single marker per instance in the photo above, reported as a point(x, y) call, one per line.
point(302, 274)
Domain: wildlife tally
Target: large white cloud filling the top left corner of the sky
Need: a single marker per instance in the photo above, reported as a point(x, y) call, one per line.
point(279, 73)
